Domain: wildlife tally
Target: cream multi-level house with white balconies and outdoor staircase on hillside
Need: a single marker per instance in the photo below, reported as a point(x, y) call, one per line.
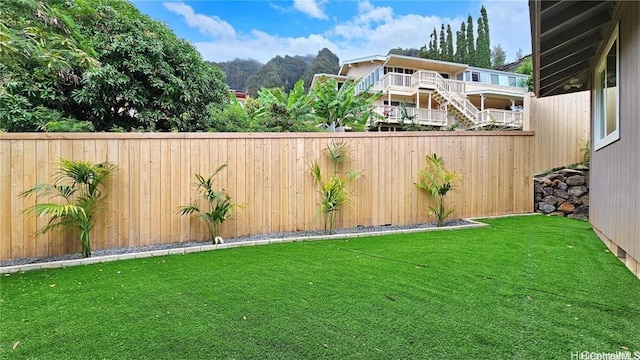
point(436, 93)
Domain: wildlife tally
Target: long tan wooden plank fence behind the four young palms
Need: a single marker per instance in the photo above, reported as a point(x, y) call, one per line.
point(268, 173)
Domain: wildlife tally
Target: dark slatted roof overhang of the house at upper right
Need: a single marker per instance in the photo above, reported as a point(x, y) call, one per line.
point(565, 38)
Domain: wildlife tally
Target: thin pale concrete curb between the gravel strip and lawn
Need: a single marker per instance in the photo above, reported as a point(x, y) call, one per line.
point(195, 249)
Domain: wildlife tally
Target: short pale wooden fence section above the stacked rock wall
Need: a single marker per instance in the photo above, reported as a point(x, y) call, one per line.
point(561, 124)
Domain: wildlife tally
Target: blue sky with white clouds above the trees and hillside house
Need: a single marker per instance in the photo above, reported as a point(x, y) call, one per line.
point(261, 29)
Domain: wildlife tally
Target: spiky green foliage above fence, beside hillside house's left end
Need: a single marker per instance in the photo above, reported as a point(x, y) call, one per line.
point(342, 106)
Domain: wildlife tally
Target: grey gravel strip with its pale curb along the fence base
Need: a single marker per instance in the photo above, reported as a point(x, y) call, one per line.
point(233, 243)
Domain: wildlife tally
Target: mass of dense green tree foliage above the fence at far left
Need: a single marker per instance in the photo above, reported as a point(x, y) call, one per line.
point(100, 62)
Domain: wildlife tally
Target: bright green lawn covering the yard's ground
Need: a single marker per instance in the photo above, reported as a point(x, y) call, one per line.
point(529, 287)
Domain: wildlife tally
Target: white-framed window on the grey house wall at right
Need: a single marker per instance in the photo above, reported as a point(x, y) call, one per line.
point(606, 94)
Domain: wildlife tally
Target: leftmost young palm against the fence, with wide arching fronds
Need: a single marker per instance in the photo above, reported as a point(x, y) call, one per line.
point(79, 184)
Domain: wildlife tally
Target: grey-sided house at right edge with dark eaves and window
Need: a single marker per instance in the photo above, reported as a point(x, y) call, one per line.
point(595, 45)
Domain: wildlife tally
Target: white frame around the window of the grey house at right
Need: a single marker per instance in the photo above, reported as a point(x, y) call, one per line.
point(600, 120)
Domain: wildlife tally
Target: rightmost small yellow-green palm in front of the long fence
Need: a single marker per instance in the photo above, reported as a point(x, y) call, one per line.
point(437, 181)
